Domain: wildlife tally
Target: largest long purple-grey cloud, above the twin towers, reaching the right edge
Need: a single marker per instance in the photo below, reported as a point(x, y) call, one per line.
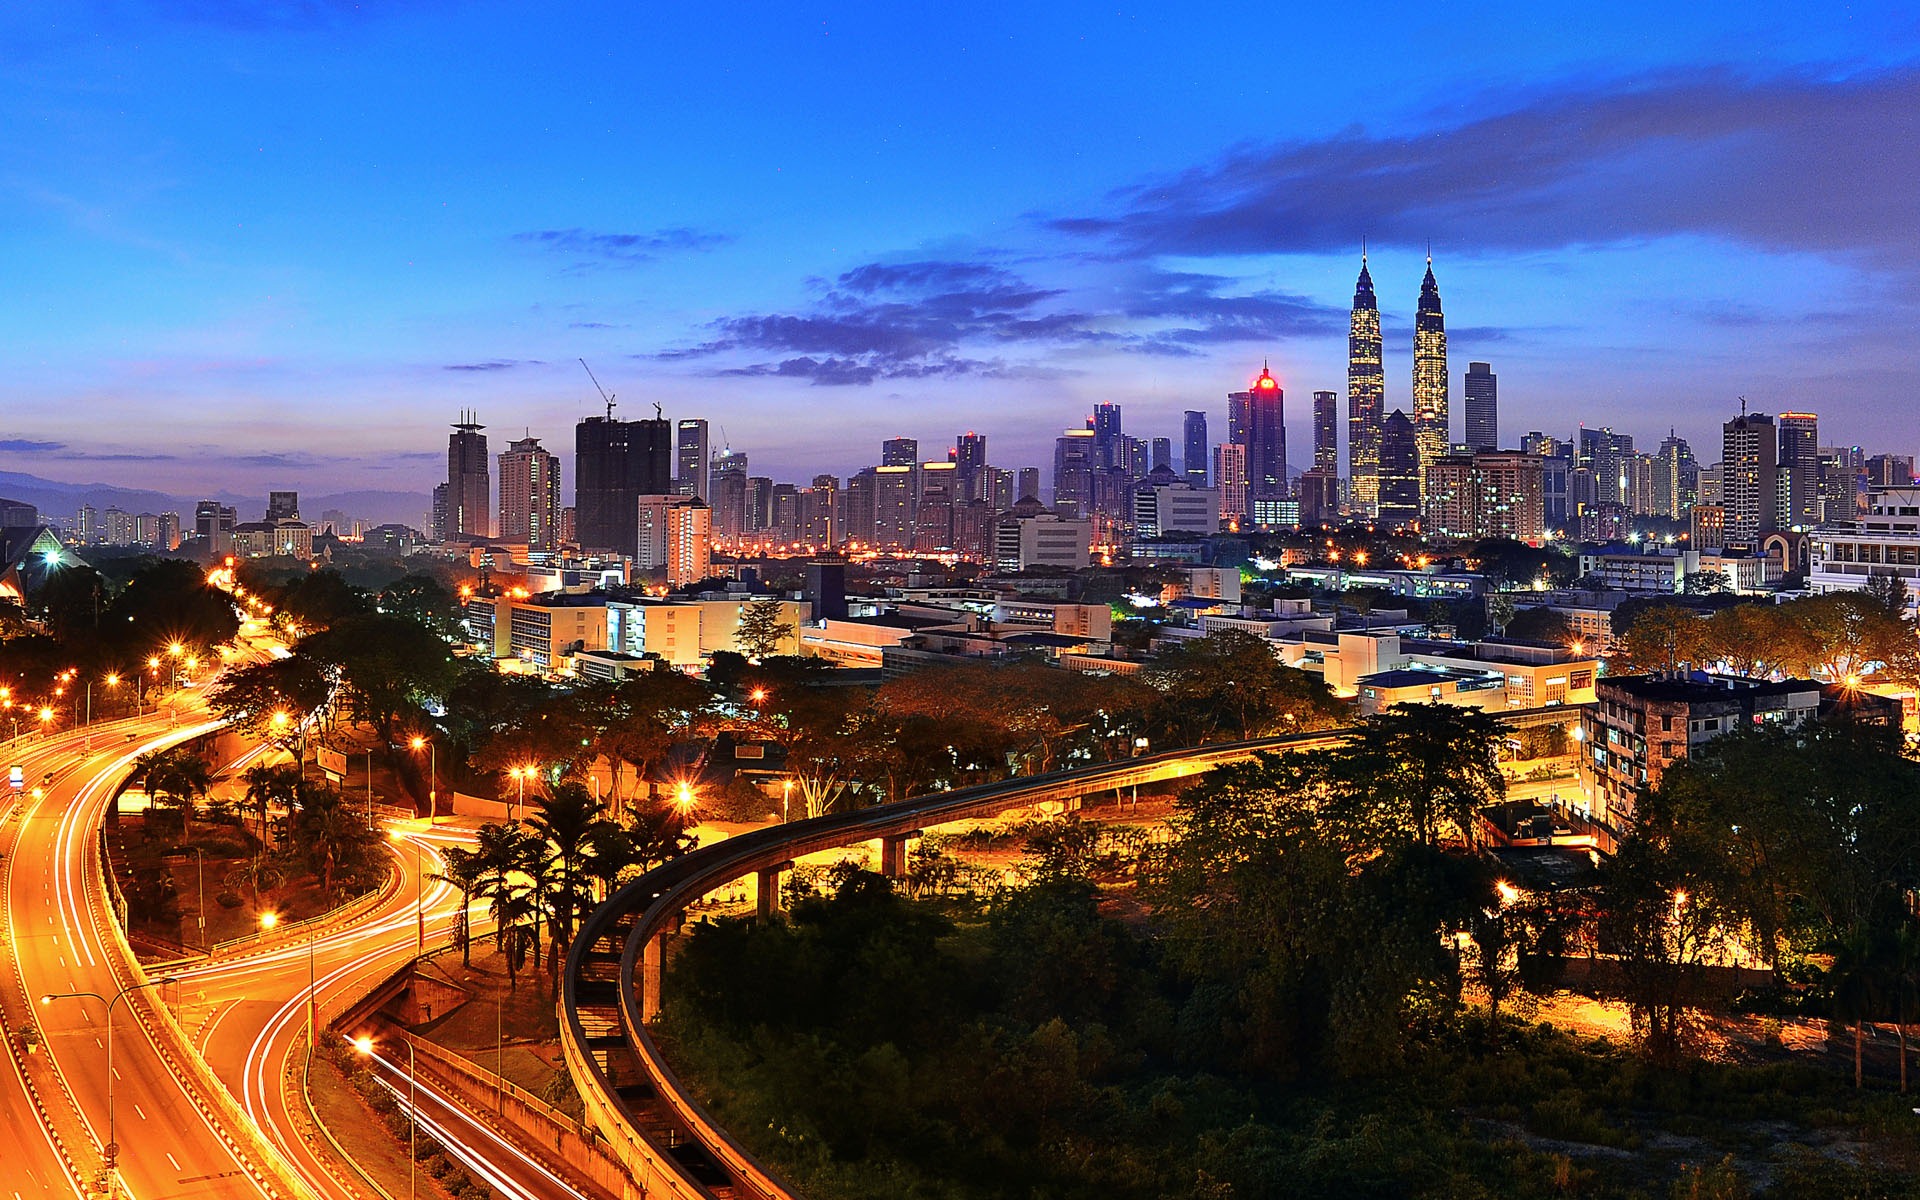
point(1790, 164)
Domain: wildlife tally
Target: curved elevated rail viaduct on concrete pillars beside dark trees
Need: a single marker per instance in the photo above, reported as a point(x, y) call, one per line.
point(612, 990)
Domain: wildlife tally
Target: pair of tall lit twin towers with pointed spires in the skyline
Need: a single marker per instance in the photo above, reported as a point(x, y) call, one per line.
point(1380, 462)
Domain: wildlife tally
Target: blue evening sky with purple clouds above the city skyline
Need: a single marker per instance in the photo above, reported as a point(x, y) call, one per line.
point(283, 243)
